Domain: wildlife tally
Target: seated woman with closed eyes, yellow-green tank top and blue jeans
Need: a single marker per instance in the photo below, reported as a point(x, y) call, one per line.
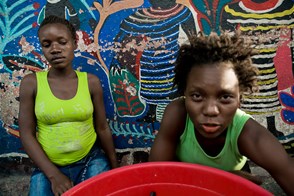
point(62, 117)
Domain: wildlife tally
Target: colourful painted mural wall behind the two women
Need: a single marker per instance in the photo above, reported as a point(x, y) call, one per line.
point(132, 47)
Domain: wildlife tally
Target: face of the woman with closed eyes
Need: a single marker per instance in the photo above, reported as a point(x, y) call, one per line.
point(57, 45)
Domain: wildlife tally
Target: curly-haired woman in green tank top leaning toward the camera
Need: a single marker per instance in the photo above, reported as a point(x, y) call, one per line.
point(205, 126)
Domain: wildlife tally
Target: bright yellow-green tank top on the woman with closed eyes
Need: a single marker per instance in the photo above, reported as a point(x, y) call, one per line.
point(65, 127)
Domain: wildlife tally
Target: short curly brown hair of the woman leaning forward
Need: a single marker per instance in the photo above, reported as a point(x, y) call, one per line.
point(213, 48)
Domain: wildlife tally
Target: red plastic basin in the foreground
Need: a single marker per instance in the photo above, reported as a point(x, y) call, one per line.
point(166, 178)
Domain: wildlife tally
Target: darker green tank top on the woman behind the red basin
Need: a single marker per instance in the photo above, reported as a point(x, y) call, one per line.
point(189, 150)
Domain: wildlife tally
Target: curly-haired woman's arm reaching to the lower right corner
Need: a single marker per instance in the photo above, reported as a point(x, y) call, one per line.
point(261, 147)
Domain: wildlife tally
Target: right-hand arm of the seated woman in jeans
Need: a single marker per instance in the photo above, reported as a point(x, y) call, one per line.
point(101, 124)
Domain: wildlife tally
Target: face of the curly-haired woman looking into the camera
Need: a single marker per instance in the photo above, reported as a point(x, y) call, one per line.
point(212, 98)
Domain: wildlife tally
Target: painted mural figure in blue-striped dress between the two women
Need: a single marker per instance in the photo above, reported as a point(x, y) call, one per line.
point(146, 46)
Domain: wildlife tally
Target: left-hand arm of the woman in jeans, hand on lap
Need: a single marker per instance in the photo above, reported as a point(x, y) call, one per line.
point(27, 125)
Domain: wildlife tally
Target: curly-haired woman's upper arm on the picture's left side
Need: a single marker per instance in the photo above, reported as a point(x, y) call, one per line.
point(171, 128)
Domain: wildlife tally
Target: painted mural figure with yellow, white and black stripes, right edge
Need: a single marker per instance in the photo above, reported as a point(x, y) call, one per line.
point(269, 23)
